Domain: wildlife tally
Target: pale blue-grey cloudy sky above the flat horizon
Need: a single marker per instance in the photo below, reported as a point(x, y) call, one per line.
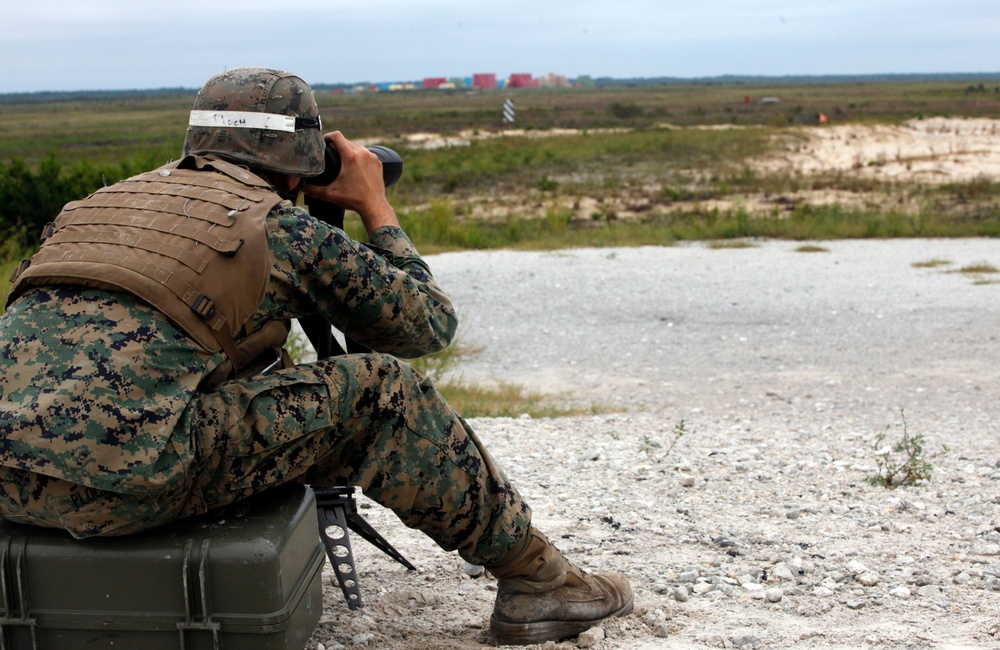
point(124, 44)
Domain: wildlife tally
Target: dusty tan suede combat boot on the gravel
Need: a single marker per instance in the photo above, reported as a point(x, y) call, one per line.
point(542, 597)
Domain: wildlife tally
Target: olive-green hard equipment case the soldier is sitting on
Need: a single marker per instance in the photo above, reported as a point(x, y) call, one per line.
point(248, 578)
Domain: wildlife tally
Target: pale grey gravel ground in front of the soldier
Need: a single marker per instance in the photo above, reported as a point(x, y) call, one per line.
point(758, 528)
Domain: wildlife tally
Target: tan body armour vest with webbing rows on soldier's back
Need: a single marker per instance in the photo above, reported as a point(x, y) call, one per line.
point(189, 238)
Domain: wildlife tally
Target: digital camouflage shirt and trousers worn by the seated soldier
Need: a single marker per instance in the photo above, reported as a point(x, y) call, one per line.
point(90, 367)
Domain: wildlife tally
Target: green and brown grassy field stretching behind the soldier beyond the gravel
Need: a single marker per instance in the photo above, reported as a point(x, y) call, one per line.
point(653, 182)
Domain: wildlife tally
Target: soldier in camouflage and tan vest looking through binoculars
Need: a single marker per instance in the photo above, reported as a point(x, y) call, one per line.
point(143, 377)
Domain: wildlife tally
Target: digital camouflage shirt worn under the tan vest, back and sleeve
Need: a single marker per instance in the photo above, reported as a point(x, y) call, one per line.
point(95, 385)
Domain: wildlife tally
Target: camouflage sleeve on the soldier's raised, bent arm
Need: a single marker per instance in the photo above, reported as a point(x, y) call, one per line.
point(381, 295)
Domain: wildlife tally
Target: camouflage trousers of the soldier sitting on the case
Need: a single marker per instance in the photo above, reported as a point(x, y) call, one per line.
point(364, 420)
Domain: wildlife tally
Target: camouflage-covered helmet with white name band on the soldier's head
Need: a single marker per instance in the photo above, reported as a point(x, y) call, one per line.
point(263, 118)
